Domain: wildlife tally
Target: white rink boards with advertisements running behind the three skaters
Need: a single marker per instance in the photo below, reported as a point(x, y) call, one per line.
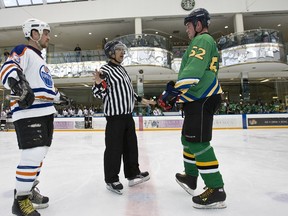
point(142, 123)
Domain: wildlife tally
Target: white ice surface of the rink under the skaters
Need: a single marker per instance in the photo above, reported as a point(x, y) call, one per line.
point(253, 163)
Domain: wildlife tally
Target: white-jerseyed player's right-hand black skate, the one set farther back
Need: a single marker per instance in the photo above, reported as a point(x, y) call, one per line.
point(39, 201)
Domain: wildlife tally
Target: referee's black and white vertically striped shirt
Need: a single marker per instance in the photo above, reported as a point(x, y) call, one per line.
point(116, 91)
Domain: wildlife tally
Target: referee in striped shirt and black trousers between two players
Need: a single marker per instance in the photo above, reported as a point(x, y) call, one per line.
point(113, 85)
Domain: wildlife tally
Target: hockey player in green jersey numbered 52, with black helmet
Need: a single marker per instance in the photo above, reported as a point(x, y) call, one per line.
point(199, 92)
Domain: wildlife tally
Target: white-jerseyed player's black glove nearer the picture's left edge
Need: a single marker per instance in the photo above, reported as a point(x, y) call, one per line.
point(22, 89)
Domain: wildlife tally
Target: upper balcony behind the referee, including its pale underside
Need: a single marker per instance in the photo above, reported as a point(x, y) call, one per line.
point(149, 53)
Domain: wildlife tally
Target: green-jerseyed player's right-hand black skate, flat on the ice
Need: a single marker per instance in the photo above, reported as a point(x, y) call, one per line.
point(211, 198)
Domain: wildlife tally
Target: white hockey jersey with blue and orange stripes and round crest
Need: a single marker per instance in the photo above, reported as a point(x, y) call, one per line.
point(35, 69)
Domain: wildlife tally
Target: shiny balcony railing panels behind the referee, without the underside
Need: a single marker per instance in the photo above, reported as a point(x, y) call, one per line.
point(143, 49)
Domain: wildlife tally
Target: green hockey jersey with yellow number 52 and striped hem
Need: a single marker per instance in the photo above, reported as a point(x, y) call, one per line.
point(198, 75)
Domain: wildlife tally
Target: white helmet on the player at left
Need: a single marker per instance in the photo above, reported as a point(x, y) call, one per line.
point(31, 24)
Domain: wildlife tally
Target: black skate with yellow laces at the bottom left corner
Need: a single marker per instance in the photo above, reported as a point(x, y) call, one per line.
point(22, 206)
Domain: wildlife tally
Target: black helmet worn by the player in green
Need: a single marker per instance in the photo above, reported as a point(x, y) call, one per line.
point(199, 14)
